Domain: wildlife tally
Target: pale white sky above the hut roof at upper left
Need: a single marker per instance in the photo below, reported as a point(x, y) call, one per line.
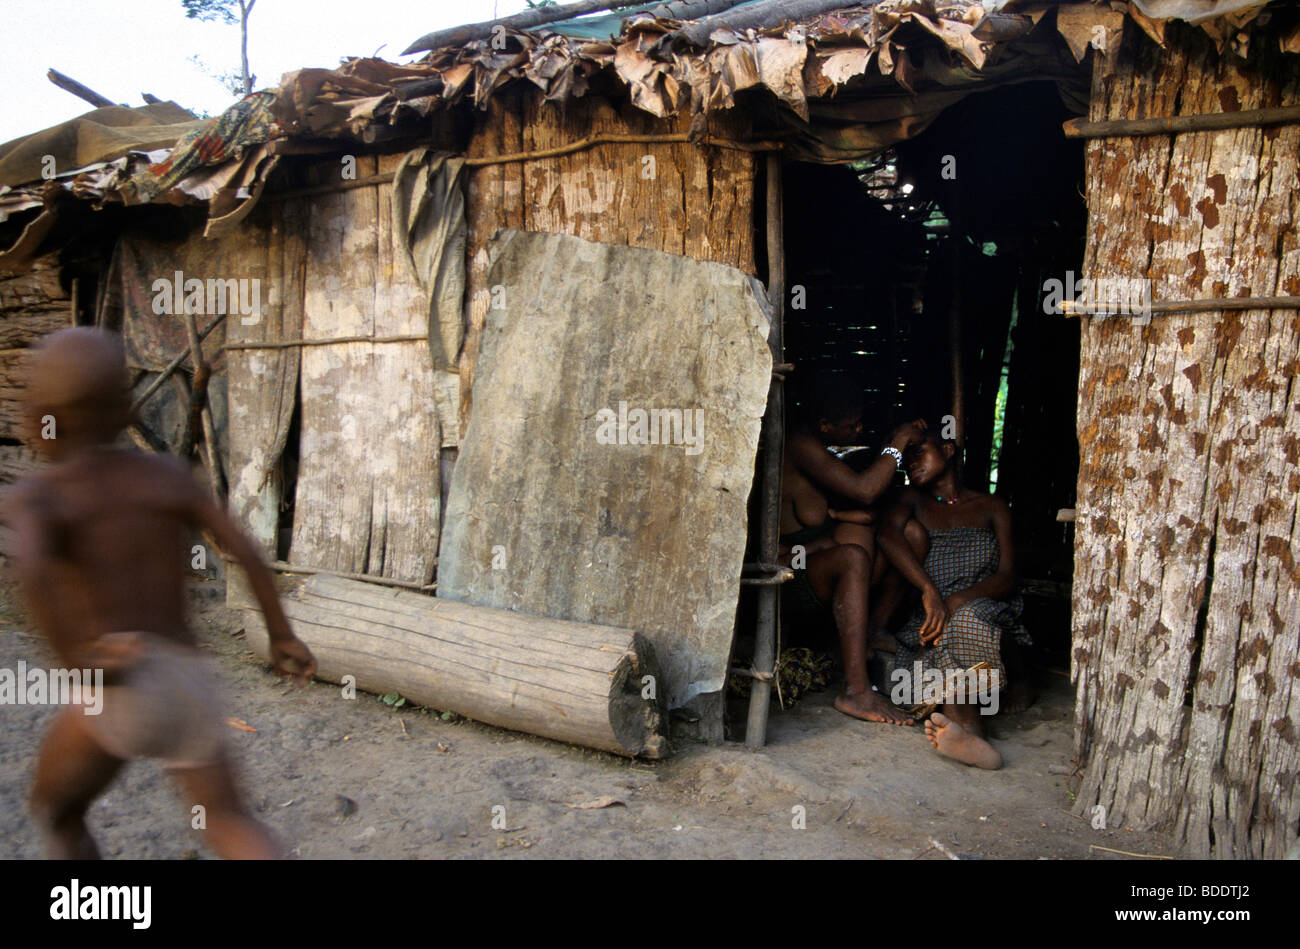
point(128, 47)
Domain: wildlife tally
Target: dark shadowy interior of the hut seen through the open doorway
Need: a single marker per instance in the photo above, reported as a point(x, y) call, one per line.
point(948, 239)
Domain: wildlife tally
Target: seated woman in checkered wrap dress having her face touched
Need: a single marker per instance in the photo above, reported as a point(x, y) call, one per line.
point(963, 565)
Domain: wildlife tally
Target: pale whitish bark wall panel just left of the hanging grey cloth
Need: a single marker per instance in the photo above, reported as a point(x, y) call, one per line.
point(369, 491)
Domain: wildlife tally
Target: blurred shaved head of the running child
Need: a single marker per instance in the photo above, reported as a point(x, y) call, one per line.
point(79, 376)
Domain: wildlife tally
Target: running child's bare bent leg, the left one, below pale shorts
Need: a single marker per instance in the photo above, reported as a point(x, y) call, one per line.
point(72, 772)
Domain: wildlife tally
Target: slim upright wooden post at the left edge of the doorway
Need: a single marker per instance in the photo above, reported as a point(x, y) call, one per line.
point(774, 441)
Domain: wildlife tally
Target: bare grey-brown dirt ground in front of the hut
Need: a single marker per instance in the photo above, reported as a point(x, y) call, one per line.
point(357, 779)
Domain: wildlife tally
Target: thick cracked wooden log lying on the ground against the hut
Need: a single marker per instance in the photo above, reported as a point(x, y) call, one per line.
point(569, 682)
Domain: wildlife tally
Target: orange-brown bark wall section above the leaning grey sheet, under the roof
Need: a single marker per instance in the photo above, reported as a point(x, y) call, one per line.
point(697, 203)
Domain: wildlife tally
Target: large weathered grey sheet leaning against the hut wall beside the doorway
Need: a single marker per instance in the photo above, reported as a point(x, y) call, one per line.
point(545, 518)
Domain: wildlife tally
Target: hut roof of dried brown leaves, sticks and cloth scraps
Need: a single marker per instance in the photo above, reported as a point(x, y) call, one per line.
point(835, 81)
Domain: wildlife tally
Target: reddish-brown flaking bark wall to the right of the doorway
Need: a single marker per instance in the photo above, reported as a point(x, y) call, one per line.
point(1188, 558)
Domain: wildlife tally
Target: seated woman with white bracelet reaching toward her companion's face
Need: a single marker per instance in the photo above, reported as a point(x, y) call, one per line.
point(835, 565)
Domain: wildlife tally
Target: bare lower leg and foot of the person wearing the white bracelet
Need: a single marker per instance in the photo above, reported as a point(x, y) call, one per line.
point(842, 577)
